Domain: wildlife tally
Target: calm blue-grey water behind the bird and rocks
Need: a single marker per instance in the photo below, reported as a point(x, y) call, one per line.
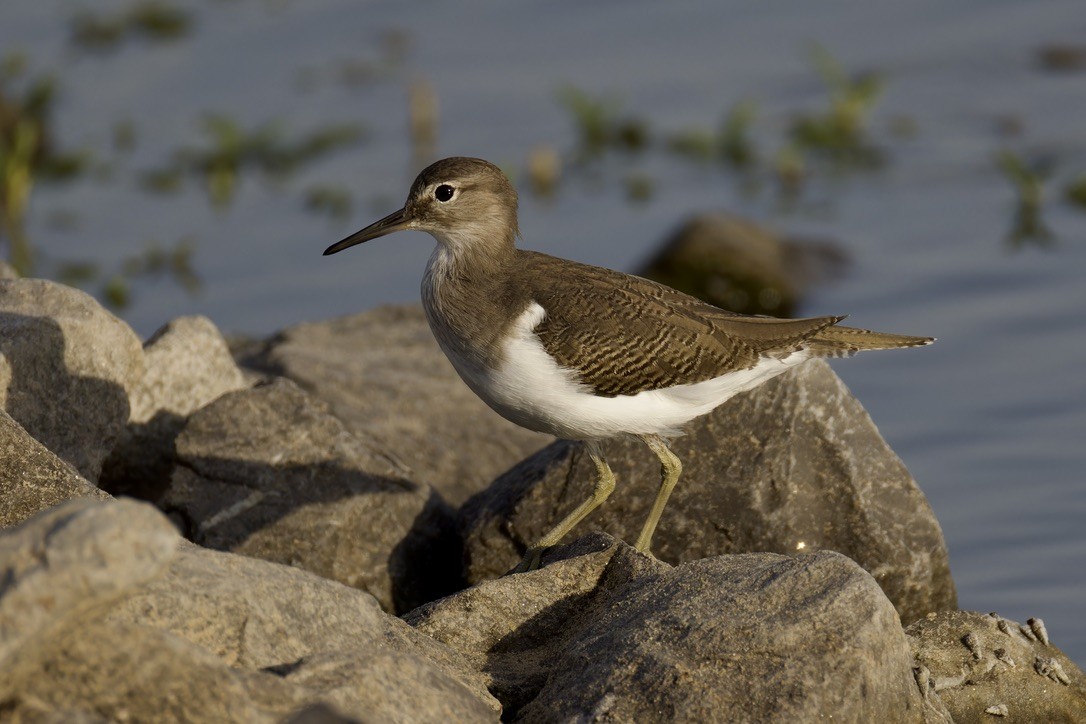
point(991, 421)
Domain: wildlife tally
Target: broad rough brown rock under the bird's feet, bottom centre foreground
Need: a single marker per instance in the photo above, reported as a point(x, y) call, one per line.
point(616, 637)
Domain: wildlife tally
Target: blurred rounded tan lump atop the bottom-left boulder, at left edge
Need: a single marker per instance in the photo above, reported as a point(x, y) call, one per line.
point(71, 561)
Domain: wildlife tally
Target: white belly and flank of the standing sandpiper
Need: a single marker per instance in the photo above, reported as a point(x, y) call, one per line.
point(532, 390)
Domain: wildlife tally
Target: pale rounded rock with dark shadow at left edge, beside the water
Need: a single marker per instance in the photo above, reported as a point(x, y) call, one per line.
point(66, 370)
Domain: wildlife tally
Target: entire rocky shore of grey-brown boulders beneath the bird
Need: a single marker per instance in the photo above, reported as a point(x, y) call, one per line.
point(315, 527)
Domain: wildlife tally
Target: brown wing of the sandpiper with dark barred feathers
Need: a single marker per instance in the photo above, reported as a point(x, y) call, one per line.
point(626, 335)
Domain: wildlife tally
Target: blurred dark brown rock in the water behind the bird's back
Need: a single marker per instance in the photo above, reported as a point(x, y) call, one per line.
point(739, 265)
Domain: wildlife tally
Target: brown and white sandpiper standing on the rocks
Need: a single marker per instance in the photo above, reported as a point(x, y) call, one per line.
point(582, 352)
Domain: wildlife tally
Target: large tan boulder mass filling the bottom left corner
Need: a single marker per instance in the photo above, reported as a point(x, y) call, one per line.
point(107, 615)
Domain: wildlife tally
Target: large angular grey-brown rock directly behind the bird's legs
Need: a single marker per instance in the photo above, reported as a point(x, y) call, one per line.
point(795, 465)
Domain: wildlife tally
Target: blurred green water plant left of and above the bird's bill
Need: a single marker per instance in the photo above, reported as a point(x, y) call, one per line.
point(233, 150)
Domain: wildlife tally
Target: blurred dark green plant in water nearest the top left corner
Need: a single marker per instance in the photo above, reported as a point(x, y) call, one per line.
point(150, 20)
